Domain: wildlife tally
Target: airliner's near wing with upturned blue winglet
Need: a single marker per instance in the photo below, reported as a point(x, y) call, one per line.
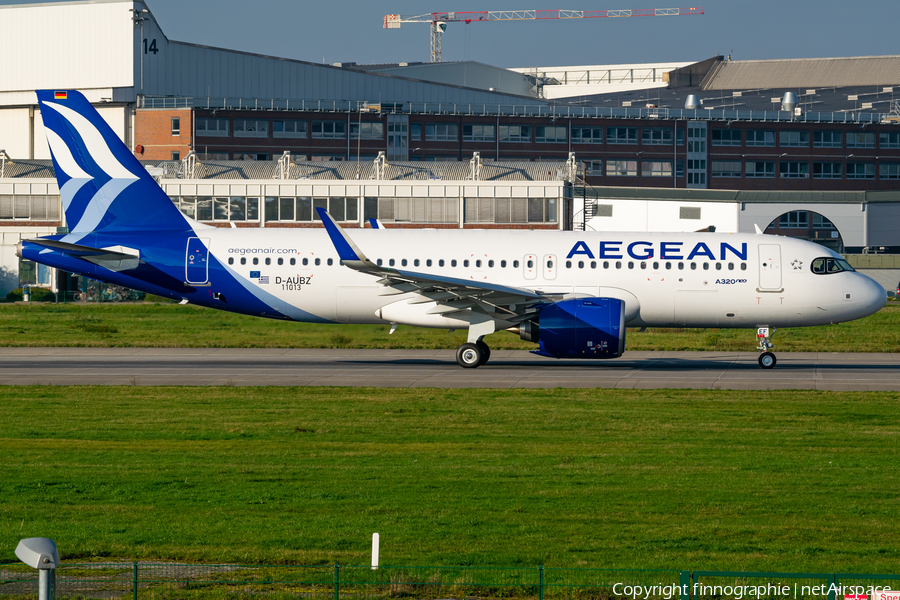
point(451, 294)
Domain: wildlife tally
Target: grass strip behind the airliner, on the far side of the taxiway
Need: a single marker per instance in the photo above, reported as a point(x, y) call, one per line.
point(170, 326)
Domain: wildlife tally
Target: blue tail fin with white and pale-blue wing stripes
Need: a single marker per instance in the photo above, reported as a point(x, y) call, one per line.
point(101, 184)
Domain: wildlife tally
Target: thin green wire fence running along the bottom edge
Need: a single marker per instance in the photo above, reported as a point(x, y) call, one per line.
point(158, 581)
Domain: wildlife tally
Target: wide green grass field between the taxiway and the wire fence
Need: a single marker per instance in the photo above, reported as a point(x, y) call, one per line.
point(781, 481)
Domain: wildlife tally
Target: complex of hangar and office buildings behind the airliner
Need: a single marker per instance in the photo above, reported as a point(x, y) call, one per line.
point(233, 137)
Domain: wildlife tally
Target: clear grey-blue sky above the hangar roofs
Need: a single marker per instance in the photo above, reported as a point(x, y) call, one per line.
point(351, 30)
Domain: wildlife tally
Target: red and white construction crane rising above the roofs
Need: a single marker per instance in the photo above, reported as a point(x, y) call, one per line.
point(439, 21)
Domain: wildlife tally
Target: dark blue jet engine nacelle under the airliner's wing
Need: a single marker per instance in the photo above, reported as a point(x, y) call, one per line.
point(581, 328)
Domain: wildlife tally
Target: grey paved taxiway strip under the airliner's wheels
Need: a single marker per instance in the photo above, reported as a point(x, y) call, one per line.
point(438, 368)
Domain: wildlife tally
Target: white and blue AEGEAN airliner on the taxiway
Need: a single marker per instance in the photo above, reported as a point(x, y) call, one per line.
point(572, 293)
